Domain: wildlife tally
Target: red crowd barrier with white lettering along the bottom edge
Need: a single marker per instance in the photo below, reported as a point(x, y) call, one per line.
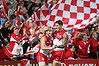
point(80, 62)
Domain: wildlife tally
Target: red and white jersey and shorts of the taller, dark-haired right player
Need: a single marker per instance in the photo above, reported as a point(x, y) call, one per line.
point(57, 54)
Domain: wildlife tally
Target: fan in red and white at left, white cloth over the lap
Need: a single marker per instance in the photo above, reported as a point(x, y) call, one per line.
point(15, 42)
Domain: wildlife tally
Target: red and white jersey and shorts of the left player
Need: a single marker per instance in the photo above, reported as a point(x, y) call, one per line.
point(42, 55)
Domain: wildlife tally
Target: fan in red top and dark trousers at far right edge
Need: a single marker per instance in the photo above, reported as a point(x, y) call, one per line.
point(94, 43)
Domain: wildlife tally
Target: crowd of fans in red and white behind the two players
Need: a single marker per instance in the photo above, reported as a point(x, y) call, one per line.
point(81, 43)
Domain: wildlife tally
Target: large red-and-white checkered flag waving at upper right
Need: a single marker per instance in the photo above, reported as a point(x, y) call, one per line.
point(74, 13)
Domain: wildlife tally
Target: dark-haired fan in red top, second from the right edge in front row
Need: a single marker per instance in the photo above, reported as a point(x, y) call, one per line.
point(83, 46)
